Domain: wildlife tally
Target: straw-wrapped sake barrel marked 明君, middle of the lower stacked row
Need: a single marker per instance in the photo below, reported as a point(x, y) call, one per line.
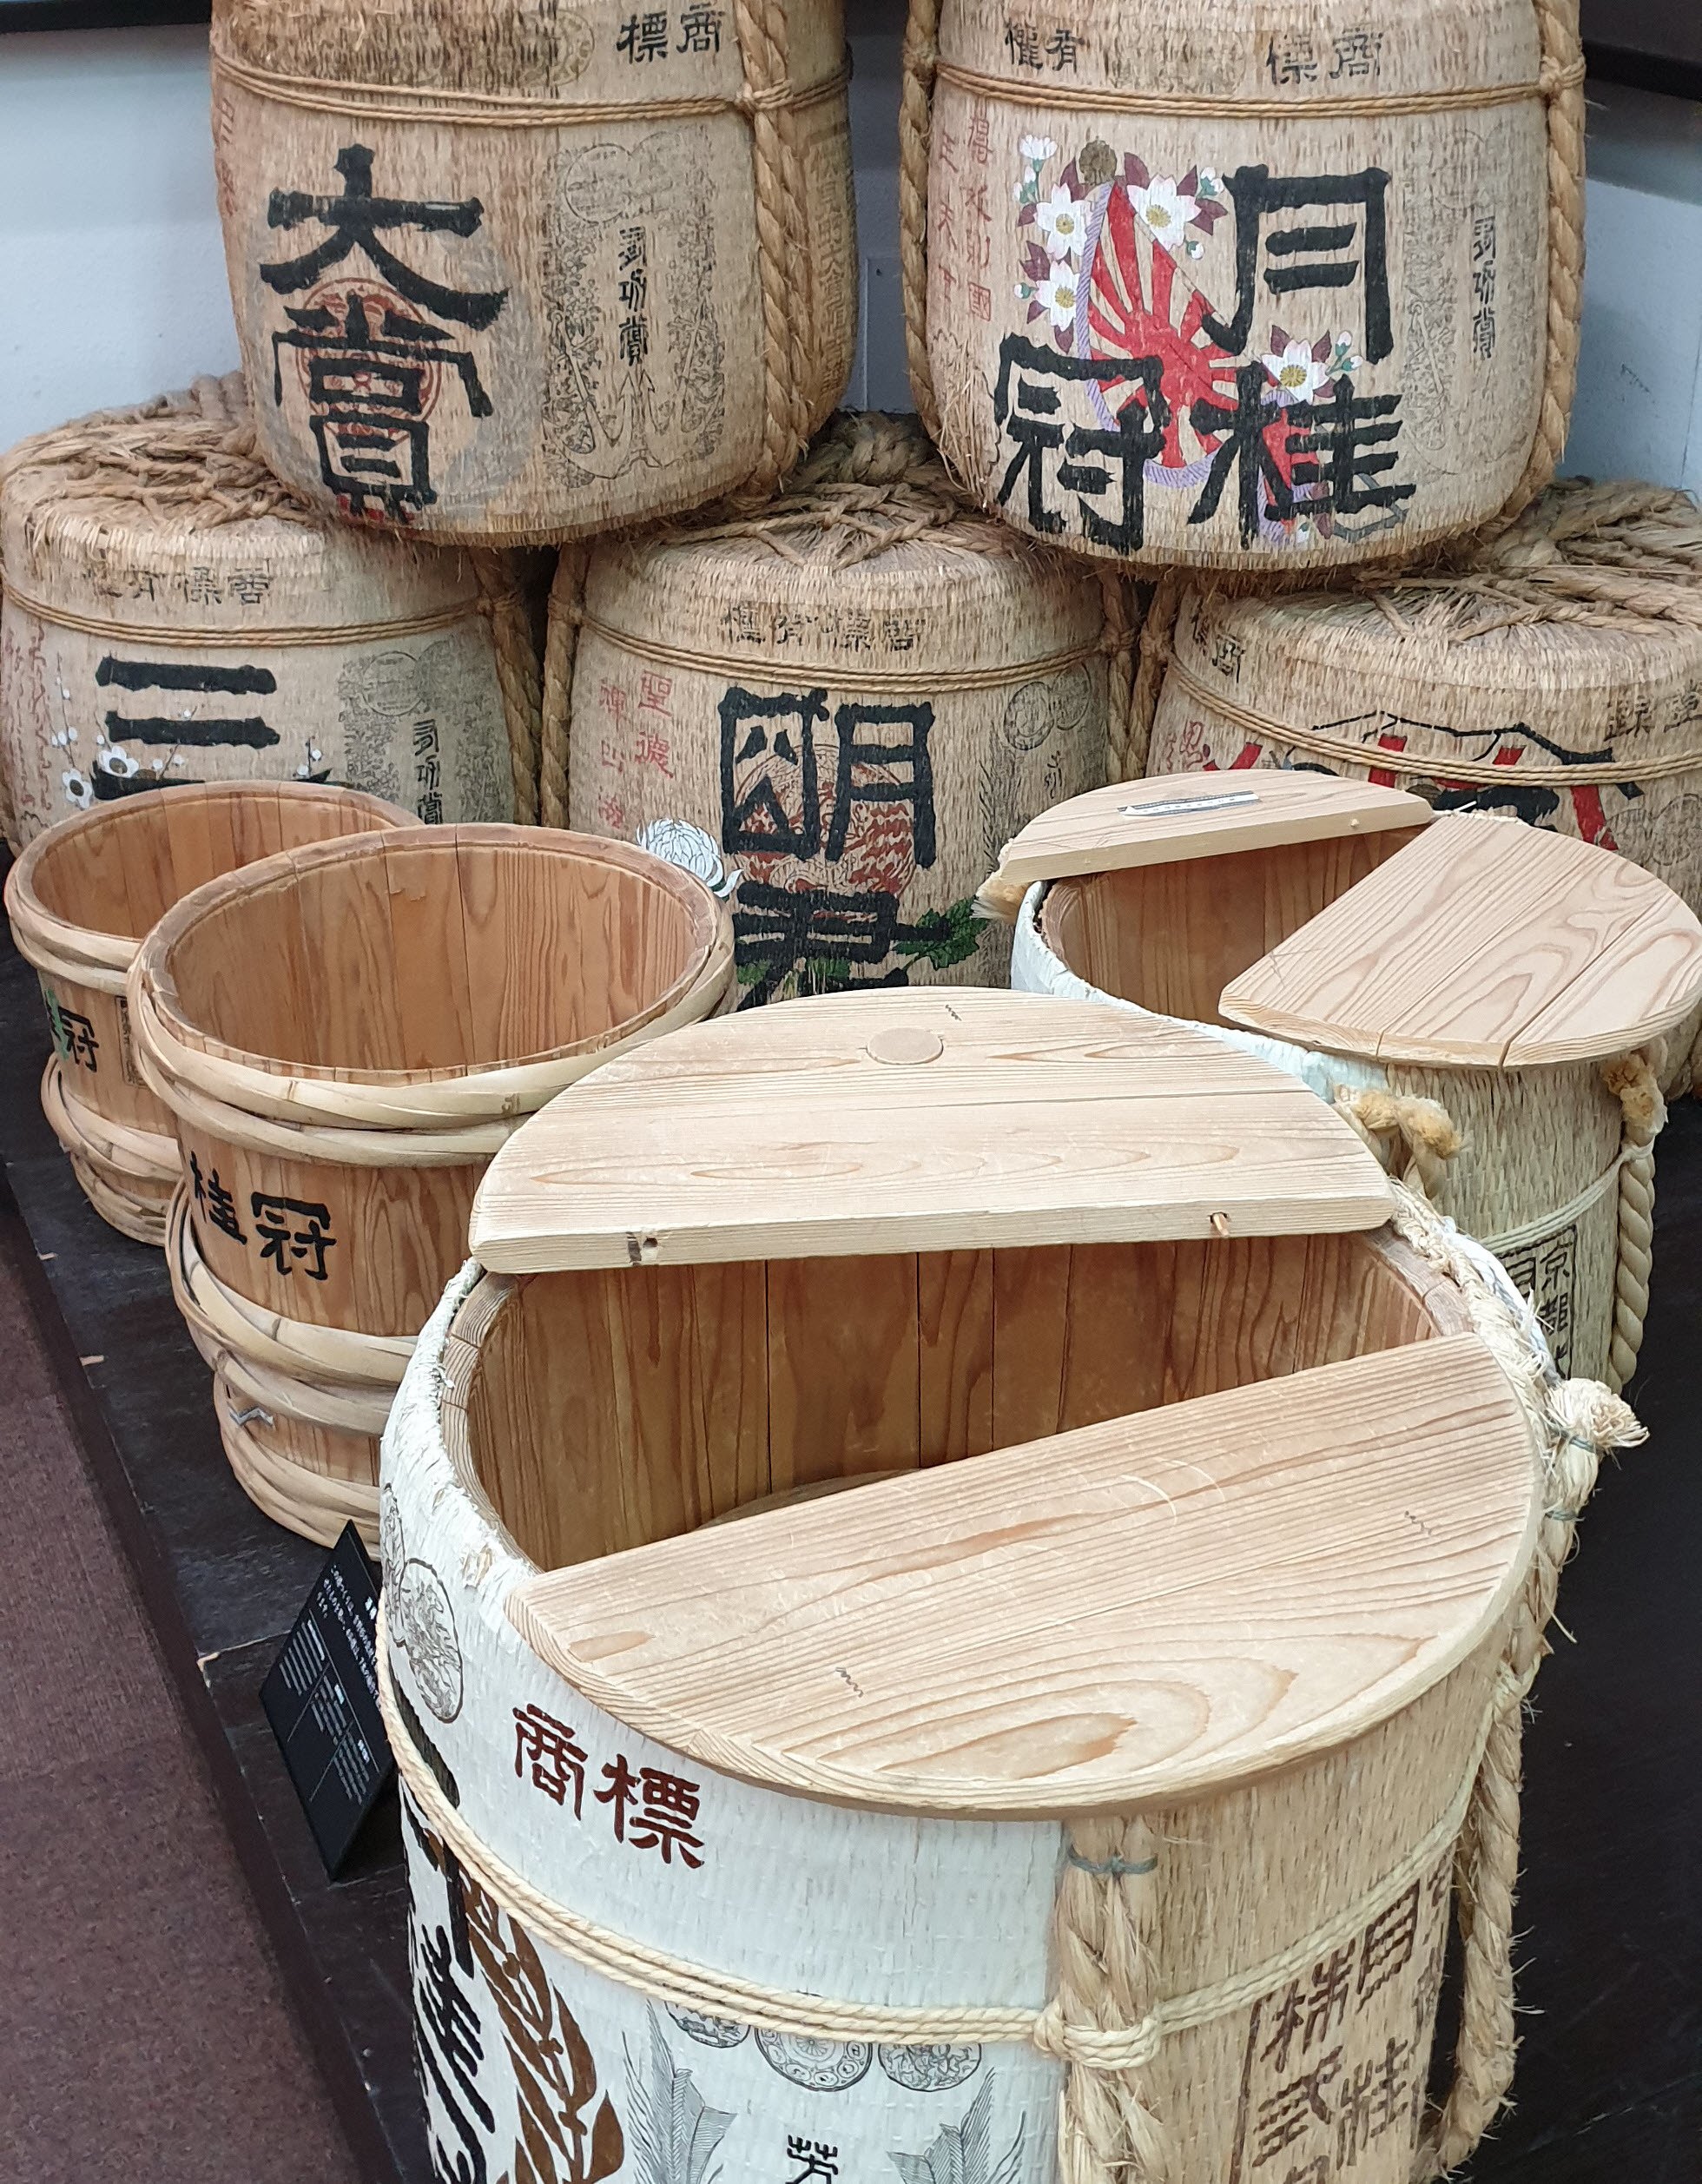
point(840, 709)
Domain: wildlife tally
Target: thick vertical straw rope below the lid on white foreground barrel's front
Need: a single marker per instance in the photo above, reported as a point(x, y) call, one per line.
point(1104, 1982)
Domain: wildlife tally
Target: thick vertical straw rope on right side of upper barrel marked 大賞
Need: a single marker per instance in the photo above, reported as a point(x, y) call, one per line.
point(781, 237)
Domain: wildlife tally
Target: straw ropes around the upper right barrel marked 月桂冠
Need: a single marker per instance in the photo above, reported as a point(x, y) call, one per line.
point(1559, 86)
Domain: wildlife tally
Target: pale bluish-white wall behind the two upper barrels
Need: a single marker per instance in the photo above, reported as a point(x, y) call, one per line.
point(115, 289)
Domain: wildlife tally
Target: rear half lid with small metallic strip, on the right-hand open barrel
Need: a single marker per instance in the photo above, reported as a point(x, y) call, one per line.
point(1185, 816)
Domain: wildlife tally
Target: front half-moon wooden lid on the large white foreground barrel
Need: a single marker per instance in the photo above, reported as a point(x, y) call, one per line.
point(1124, 1615)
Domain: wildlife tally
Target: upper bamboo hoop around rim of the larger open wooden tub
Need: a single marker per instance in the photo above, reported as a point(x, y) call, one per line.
point(388, 1117)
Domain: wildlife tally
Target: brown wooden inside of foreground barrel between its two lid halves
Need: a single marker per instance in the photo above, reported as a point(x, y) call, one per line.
point(613, 1408)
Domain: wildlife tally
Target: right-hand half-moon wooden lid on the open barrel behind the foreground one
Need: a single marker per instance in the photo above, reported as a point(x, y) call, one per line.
point(1485, 945)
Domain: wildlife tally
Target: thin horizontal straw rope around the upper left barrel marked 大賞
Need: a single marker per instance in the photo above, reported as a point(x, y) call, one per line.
point(508, 110)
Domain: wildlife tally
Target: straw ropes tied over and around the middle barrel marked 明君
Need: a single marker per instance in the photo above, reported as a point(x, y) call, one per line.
point(873, 482)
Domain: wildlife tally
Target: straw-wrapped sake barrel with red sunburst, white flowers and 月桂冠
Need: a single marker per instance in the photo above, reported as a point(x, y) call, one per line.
point(1281, 289)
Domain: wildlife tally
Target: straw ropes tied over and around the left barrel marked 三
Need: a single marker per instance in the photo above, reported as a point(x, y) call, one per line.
point(196, 458)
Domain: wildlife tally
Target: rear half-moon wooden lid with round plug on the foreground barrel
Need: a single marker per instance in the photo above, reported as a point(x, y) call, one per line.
point(932, 1119)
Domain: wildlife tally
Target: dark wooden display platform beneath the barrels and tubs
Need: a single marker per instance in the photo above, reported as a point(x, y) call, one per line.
point(1611, 2069)
